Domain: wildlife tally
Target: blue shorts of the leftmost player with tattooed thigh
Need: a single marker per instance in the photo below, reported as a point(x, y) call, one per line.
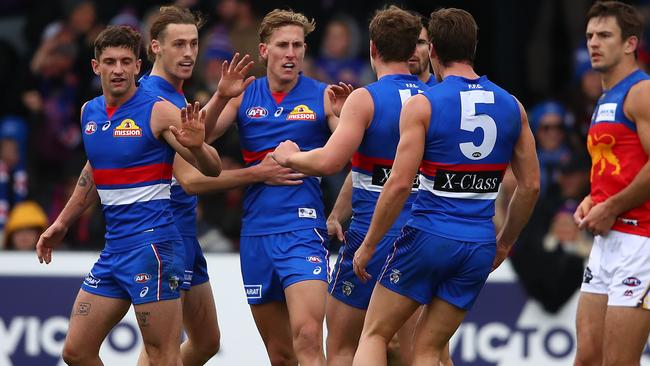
point(145, 274)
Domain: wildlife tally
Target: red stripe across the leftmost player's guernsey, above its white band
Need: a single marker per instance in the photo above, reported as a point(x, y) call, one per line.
point(139, 174)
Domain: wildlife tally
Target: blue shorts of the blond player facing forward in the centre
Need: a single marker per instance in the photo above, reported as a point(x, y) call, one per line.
point(271, 263)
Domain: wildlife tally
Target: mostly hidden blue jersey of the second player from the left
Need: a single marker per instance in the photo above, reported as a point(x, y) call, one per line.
point(183, 205)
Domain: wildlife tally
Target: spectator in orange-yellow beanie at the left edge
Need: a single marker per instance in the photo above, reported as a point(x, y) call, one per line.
point(25, 224)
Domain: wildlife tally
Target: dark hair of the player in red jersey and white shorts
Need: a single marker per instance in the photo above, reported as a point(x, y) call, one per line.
point(628, 18)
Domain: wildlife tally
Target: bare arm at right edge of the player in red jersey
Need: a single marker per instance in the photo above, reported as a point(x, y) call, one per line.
point(602, 216)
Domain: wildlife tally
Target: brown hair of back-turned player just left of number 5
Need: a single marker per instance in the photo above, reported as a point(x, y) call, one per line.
point(395, 32)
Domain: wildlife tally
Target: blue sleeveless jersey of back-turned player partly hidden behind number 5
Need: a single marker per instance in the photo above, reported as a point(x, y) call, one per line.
point(371, 164)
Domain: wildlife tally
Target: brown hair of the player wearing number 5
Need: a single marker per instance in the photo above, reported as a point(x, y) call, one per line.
point(453, 34)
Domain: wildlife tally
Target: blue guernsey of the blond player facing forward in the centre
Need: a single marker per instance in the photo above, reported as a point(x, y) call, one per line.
point(263, 124)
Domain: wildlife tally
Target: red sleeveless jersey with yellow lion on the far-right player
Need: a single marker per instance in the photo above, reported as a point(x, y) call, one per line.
point(617, 155)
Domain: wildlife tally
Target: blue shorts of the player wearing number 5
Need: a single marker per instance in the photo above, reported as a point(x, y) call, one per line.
point(424, 265)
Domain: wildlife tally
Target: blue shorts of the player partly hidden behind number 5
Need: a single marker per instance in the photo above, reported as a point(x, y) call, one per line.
point(345, 285)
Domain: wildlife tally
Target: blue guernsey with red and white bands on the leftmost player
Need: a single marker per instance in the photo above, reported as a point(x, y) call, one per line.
point(132, 170)
